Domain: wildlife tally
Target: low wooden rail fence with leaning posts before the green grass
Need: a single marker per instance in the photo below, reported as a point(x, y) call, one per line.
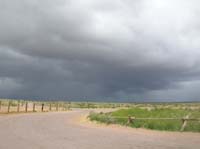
point(130, 120)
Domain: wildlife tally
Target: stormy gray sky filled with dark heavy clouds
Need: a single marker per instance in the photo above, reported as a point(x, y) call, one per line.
point(123, 50)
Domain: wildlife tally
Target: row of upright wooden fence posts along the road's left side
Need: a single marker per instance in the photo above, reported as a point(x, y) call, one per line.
point(28, 106)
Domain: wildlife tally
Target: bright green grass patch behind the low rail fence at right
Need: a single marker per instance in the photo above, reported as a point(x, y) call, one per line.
point(170, 125)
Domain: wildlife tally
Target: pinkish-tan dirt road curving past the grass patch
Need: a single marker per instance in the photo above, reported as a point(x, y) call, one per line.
point(66, 131)
